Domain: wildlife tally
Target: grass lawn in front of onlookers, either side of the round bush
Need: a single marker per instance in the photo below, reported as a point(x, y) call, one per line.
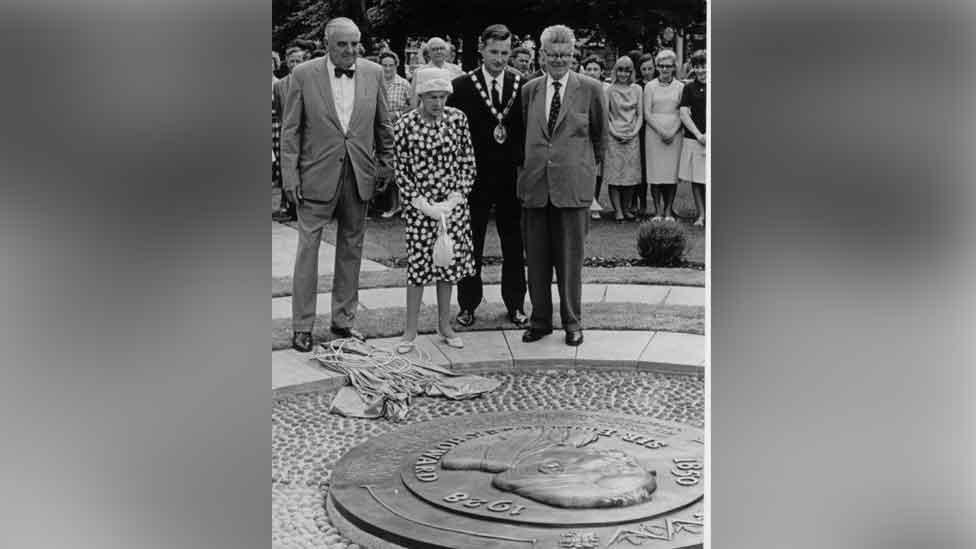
point(606, 239)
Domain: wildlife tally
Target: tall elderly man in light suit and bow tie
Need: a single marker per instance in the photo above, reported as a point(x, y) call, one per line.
point(337, 153)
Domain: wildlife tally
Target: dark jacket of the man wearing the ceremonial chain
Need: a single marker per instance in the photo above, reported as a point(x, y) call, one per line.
point(491, 158)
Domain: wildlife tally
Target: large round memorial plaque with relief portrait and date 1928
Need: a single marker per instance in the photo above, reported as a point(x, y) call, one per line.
point(525, 479)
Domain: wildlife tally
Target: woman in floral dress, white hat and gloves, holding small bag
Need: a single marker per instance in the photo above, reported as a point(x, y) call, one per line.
point(435, 169)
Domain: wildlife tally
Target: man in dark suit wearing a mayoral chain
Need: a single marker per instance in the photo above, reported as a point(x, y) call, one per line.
point(489, 96)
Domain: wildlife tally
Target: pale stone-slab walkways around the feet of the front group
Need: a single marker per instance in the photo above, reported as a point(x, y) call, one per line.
point(496, 349)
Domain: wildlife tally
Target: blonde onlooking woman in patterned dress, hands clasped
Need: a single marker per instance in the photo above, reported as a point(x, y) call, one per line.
point(622, 161)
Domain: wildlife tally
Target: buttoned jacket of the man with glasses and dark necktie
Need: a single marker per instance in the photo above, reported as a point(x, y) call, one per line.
point(561, 167)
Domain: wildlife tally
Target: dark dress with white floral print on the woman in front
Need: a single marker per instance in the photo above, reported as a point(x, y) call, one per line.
point(434, 159)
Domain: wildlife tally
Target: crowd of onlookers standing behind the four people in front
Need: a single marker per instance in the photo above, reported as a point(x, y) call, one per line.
point(653, 145)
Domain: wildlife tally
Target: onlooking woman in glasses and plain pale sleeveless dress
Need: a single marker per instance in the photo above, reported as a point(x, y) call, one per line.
point(661, 136)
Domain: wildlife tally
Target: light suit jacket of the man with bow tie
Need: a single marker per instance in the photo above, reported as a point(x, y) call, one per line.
point(313, 145)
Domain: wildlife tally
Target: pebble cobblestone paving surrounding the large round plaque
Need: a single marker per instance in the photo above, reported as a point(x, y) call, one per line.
point(307, 441)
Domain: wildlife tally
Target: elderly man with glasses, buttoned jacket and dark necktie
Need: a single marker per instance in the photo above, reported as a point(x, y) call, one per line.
point(565, 129)
